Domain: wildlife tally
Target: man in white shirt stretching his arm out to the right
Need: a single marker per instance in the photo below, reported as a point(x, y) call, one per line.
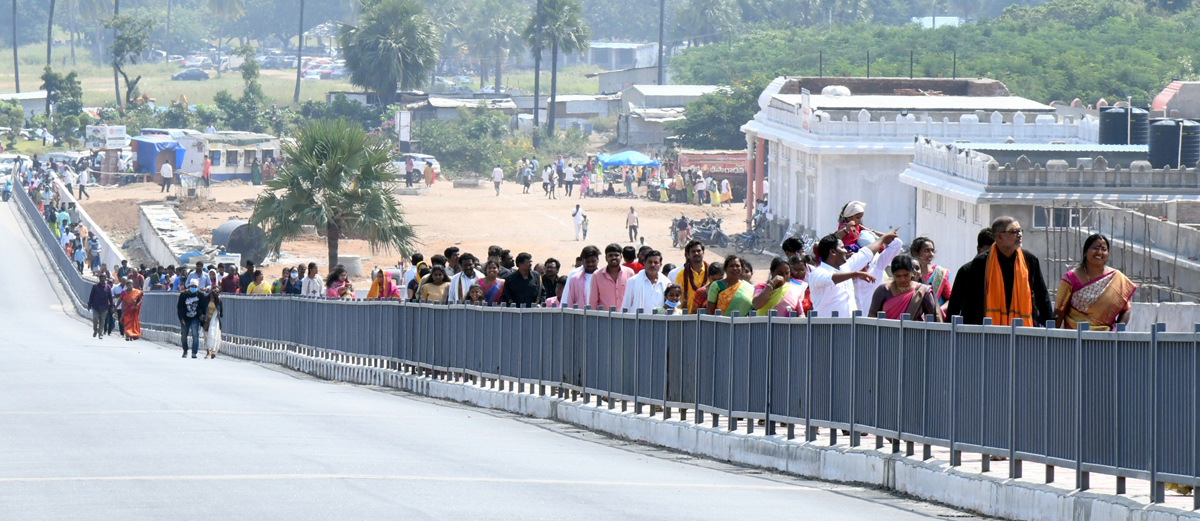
point(830, 284)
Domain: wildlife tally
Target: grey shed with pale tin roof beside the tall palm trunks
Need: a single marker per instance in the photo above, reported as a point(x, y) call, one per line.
point(646, 109)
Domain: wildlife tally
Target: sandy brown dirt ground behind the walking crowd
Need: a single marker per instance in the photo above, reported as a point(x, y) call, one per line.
point(472, 219)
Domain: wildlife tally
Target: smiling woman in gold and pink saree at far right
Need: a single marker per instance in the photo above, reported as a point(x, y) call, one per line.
point(1094, 292)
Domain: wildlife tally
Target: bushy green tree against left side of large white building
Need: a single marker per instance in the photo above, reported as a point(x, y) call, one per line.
point(715, 121)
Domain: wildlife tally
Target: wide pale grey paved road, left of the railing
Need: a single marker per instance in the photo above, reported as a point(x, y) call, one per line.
point(111, 430)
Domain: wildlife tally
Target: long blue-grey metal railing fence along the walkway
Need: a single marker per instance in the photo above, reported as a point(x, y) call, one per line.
point(1120, 404)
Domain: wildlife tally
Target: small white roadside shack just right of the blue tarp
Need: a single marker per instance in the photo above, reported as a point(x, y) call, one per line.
point(232, 153)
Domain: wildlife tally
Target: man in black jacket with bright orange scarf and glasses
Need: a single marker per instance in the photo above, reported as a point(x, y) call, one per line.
point(1006, 283)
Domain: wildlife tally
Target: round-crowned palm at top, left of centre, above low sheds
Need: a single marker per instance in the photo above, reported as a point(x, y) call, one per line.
point(394, 46)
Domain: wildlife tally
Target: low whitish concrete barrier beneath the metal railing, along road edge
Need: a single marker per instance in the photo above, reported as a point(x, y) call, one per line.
point(931, 481)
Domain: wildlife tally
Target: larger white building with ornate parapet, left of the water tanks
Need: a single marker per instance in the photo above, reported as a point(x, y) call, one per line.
point(854, 142)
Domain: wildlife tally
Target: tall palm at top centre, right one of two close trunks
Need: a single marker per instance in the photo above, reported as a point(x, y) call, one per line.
point(563, 29)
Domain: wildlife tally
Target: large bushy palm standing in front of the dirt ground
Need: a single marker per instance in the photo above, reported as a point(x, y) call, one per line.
point(339, 179)
